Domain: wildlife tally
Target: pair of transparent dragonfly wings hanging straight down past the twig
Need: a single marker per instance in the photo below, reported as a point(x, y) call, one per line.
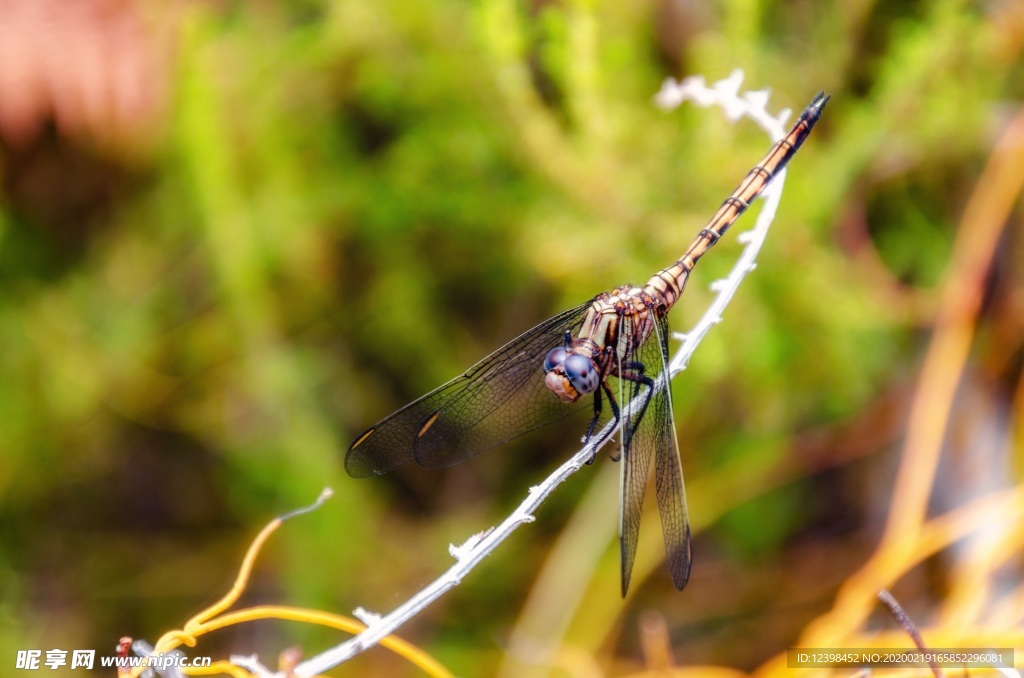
point(651, 434)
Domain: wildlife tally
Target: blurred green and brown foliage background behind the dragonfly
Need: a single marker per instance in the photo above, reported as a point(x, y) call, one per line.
point(235, 235)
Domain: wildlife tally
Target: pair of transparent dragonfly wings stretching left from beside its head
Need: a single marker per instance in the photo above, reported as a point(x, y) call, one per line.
point(497, 400)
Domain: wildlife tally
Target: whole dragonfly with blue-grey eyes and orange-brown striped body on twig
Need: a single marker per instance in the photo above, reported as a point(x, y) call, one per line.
point(612, 350)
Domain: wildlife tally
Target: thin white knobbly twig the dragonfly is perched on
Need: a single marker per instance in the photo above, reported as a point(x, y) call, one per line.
point(726, 95)
